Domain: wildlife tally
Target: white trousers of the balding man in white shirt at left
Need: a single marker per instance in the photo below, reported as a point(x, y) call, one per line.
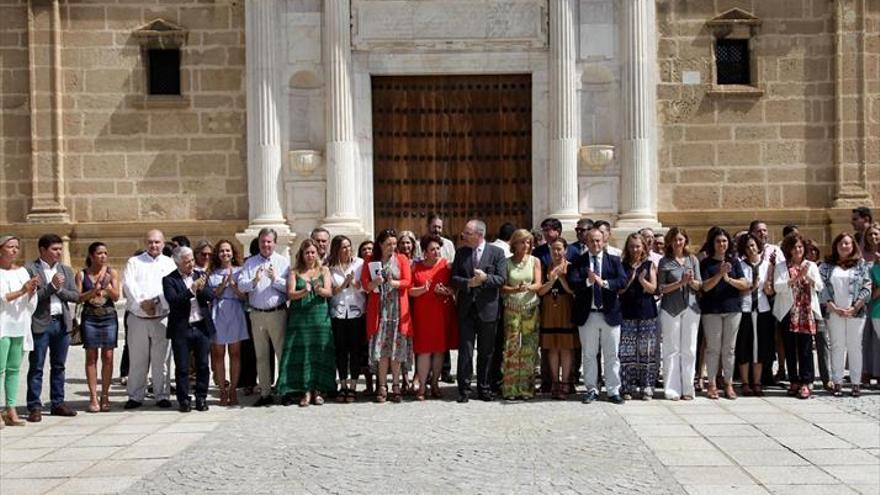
point(148, 350)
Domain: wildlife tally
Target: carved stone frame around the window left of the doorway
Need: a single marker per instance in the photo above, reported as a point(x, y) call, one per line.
point(160, 34)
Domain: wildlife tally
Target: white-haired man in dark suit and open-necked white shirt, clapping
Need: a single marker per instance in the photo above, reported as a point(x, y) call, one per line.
point(190, 326)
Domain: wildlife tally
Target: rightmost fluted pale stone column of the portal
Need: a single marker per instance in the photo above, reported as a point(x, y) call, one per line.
point(638, 177)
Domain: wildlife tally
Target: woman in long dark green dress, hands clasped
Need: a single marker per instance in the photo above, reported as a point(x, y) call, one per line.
point(308, 361)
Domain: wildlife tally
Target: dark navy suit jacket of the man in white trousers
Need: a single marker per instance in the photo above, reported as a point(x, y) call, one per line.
point(578, 275)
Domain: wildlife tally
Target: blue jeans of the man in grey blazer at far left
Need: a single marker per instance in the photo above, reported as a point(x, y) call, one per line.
point(55, 340)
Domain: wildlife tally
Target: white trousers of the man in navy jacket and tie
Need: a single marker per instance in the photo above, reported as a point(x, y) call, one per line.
point(595, 333)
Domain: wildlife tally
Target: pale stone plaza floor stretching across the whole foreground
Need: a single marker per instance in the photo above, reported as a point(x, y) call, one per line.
point(774, 444)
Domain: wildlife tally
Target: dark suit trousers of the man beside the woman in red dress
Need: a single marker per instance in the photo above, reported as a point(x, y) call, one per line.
point(472, 330)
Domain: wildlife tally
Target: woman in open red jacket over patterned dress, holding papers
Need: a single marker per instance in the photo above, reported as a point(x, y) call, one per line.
point(387, 279)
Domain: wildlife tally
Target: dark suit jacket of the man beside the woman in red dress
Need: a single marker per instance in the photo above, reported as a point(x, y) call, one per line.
point(484, 297)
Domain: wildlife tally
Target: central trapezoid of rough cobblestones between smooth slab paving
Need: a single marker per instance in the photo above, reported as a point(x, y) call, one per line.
point(433, 447)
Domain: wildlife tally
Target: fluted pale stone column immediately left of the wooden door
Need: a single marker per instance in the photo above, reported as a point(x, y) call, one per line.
point(342, 191)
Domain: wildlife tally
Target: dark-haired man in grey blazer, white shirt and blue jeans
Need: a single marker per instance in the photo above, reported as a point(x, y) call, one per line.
point(51, 327)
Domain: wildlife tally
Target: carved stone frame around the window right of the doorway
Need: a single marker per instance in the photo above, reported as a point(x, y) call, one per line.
point(736, 24)
